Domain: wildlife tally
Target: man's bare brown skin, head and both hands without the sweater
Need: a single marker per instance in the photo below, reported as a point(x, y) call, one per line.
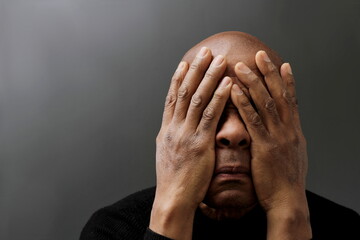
point(219, 151)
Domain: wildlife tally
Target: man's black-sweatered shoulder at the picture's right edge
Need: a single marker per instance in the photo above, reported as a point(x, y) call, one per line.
point(329, 219)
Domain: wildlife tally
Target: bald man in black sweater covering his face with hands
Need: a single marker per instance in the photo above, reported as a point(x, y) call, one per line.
point(231, 158)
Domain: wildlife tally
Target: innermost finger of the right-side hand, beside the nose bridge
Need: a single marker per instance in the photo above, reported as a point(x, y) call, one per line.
point(250, 117)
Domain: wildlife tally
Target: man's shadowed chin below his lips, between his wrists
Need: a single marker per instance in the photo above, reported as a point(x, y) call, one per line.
point(230, 195)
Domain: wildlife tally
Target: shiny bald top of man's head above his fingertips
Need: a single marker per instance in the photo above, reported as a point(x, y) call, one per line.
point(236, 47)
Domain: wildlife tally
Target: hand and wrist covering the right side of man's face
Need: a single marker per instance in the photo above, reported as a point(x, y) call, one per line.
point(278, 147)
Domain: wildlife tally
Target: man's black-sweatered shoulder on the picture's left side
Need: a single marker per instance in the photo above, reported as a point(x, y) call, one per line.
point(125, 219)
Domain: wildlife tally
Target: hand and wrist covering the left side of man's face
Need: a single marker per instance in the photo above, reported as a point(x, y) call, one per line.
point(185, 150)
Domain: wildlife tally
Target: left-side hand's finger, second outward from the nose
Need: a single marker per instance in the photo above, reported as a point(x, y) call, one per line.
point(204, 92)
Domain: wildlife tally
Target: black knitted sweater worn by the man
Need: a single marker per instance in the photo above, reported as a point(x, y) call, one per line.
point(129, 219)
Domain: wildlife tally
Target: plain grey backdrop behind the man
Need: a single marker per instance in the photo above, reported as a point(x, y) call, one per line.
point(83, 84)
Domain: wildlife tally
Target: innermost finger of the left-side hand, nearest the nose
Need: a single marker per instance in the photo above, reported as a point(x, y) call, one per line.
point(211, 115)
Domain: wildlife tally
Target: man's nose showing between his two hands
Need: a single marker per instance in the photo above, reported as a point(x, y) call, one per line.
point(232, 133)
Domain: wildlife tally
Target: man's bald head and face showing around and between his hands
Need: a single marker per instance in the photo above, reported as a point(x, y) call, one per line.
point(229, 195)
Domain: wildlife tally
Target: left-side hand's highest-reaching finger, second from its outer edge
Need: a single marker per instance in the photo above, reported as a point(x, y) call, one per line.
point(191, 82)
